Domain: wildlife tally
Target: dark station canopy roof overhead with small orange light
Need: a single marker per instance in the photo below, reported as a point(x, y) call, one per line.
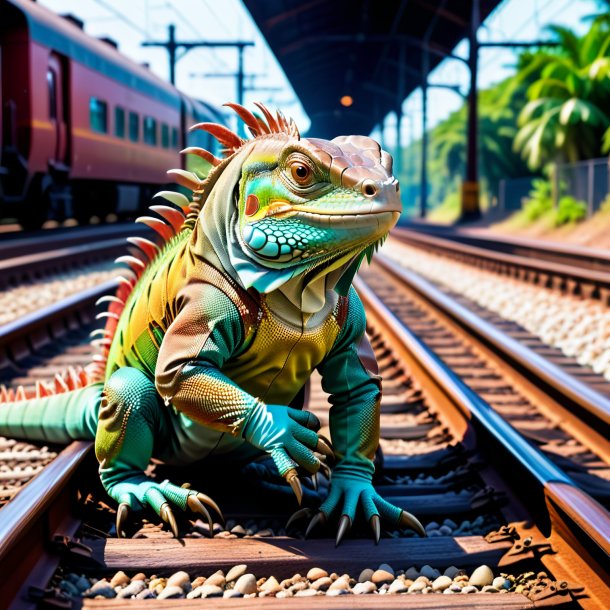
point(330, 49)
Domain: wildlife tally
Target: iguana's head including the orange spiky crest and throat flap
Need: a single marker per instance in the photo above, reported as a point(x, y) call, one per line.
point(280, 205)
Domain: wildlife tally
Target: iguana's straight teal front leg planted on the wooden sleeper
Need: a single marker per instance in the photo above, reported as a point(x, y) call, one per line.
point(355, 394)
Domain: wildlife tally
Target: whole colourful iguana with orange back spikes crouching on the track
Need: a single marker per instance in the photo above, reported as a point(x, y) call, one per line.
point(213, 334)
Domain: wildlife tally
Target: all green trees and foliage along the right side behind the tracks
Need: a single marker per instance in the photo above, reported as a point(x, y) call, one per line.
point(553, 109)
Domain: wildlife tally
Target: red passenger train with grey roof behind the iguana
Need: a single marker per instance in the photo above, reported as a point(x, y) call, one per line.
point(84, 130)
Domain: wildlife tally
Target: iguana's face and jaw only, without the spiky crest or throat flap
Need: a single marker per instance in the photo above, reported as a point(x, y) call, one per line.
point(307, 200)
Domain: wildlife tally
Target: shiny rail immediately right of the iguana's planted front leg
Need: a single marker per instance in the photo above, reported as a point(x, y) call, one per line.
point(591, 519)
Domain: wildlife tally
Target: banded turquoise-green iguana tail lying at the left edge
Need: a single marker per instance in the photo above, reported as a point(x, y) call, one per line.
point(58, 418)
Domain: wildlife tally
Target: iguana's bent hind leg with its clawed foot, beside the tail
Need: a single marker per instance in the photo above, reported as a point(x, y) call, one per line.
point(132, 419)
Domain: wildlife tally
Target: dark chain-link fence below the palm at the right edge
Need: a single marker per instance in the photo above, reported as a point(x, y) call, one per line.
point(587, 181)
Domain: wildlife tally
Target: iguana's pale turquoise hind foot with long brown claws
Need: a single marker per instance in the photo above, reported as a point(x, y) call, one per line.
point(133, 495)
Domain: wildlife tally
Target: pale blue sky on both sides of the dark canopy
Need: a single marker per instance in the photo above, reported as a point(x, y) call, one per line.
point(131, 23)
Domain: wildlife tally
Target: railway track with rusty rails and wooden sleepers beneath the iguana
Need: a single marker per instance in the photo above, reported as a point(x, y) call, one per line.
point(497, 509)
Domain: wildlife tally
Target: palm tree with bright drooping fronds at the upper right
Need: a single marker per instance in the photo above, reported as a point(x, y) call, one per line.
point(567, 114)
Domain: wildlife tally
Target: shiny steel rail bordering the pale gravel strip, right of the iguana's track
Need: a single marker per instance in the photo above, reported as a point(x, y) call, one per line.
point(593, 402)
